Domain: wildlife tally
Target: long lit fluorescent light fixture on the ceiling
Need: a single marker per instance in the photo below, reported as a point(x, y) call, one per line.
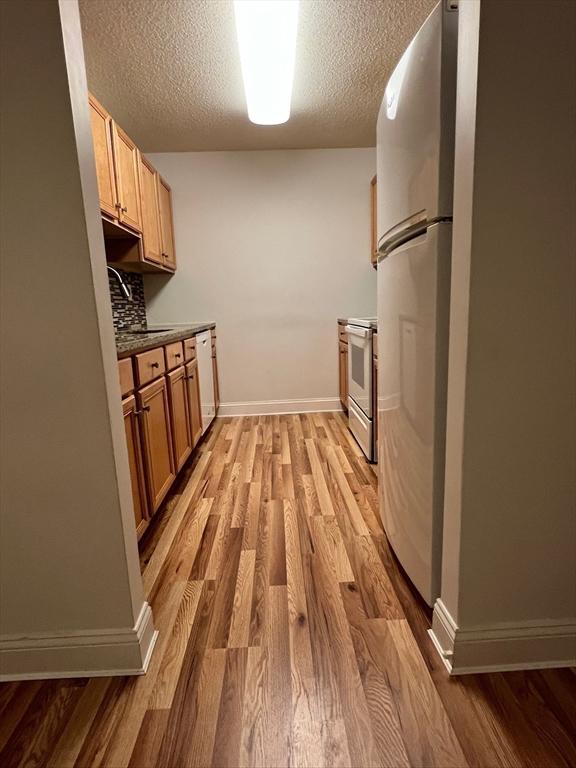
point(266, 31)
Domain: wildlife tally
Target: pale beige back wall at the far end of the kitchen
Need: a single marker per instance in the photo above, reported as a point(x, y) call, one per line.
point(273, 246)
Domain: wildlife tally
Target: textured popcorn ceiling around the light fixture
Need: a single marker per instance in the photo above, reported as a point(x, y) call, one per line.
point(169, 71)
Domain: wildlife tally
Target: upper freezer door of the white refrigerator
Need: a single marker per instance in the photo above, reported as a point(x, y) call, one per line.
point(415, 133)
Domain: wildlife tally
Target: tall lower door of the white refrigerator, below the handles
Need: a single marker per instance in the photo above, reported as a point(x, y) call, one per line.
point(413, 311)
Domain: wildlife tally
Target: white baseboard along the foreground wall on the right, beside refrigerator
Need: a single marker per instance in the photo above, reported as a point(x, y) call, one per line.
point(502, 647)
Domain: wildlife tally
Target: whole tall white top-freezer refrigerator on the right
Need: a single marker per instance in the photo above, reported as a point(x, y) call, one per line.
point(415, 167)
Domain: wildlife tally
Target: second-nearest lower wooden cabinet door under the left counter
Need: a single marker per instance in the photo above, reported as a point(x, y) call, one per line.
point(157, 440)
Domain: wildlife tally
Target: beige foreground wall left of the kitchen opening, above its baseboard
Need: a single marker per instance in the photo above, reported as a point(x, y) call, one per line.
point(69, 560)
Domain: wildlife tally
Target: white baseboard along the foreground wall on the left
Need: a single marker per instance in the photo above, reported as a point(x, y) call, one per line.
point(100, 653)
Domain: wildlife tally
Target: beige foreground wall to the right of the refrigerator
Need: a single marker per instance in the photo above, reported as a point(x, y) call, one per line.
point(510, 520)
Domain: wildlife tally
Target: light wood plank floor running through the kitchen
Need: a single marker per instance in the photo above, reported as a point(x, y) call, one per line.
point(288, 636)
